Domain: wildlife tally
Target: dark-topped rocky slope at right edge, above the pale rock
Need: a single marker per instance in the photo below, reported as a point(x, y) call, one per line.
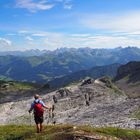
point(128, 78)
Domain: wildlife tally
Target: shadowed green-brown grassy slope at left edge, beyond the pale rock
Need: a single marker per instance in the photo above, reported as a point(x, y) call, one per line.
point(11, 90)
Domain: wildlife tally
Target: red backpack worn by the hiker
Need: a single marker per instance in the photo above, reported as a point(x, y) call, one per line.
point(38, 110)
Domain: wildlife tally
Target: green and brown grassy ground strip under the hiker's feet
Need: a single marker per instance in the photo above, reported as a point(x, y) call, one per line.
point(66, 132)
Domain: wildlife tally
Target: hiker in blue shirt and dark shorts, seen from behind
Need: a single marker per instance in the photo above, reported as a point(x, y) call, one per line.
point(37, 105)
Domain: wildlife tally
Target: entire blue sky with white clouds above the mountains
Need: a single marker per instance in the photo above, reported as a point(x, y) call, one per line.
point(51, 24)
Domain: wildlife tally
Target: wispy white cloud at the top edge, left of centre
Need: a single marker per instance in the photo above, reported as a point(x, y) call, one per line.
point(34, 6)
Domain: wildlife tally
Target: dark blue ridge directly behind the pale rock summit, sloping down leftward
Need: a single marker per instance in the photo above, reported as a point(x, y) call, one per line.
point(95, 72)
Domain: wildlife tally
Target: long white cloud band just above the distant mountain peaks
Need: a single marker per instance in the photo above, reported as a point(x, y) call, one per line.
point(53, 41)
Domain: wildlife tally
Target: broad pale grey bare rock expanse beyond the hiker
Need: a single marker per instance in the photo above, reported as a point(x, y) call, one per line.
point(93, 103)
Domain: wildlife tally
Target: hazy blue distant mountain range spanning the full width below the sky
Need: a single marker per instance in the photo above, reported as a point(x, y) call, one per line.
point(45, 66)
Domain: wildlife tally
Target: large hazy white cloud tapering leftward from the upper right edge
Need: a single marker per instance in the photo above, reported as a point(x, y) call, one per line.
point(124, 22)
